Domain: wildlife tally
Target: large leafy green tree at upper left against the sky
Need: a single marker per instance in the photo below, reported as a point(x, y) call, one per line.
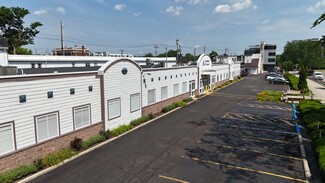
point(12, 27)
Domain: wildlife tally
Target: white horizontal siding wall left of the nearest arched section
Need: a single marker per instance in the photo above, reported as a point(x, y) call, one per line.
point(37, 103)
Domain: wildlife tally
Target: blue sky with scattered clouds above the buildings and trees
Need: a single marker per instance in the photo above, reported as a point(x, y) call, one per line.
point(135, 26)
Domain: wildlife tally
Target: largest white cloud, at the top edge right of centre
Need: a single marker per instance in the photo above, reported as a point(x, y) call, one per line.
point(237, 6)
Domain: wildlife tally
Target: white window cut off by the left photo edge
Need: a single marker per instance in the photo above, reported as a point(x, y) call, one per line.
point(6, 138)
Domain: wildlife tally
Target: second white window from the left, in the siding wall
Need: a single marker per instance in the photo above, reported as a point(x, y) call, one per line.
point(47, 126)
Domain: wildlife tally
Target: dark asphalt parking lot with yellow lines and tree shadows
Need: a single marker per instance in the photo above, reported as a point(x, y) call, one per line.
point(224, 137)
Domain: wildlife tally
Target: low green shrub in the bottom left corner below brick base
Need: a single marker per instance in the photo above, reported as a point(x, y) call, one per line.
point(17, 173)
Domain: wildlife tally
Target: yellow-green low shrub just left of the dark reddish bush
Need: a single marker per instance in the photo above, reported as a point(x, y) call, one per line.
point(58, 157)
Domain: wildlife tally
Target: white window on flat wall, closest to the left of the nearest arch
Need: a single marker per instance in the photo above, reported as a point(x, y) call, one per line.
point(81, 116)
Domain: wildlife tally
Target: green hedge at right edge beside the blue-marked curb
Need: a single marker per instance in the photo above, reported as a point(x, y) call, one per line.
point(313, 114)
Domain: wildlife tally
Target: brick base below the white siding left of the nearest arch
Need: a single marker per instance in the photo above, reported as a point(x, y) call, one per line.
point(28, 155)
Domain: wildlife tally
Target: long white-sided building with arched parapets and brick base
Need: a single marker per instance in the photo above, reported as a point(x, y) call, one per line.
point(41, 113)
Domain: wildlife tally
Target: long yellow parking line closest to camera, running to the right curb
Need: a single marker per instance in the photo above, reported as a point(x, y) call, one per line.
point(245, 169)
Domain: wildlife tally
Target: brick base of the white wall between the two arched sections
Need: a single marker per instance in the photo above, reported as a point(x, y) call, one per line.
point(157, 107)
